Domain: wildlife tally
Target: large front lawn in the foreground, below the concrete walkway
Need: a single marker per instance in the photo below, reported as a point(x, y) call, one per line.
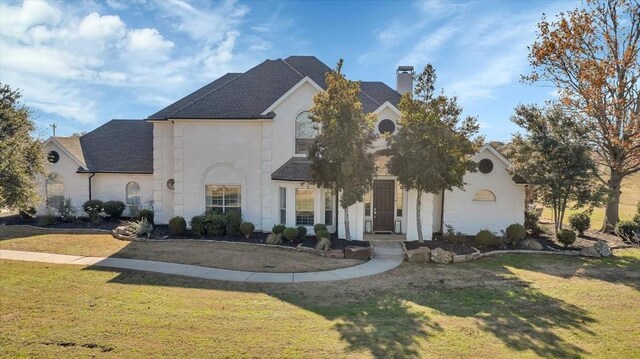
point(503, 307)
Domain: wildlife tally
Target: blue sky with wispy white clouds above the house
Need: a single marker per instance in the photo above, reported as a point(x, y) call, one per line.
point(82, 63)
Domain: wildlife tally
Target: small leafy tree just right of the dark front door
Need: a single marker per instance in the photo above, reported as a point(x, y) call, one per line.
point(432, 134)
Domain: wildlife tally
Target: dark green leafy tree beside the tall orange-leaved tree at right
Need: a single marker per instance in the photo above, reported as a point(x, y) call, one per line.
point(554, 157)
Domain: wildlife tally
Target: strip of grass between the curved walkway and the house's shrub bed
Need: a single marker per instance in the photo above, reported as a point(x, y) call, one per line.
point(208, 254)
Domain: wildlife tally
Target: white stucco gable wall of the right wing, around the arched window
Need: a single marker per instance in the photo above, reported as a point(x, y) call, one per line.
point(468, 216)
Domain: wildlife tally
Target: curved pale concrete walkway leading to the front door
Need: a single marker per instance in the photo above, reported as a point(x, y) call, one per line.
point(386, 258)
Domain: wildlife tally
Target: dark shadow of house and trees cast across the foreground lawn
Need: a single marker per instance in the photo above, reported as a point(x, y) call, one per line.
point(390, 316)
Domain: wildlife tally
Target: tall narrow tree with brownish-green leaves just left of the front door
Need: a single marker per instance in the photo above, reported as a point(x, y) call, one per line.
point(340, 155)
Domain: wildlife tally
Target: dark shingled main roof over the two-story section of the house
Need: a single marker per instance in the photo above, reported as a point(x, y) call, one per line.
point(248, 95)
